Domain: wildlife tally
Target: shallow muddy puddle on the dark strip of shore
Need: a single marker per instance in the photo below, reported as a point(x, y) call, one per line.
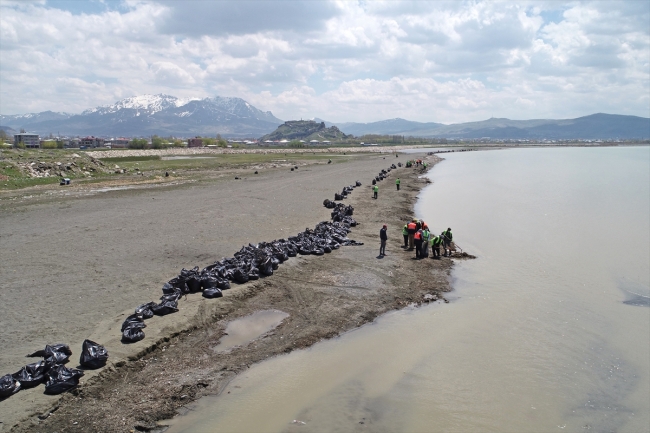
point(248, 328)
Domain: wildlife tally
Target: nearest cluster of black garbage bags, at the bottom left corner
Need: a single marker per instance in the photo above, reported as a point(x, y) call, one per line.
point(51, 369)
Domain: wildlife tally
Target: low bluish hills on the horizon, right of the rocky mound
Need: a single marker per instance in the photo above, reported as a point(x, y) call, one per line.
point(595, 126)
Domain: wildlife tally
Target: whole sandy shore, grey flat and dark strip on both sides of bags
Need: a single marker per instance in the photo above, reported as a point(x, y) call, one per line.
point(77, 266)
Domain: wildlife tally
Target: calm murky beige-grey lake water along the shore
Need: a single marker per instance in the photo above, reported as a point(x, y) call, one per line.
point(548, 330)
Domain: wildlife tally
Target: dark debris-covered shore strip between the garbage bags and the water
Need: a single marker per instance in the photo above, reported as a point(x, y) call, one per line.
point(321, 304)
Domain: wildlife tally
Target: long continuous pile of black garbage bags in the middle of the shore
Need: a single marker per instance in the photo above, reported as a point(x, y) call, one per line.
point(249, 263)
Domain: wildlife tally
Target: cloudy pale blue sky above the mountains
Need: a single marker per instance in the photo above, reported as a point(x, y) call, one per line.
point(342, 61)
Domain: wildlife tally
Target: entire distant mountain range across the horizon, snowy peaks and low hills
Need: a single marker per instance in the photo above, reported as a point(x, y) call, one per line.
point(165, 115)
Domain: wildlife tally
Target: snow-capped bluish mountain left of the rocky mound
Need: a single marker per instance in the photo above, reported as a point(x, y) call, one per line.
point(154, 114)
